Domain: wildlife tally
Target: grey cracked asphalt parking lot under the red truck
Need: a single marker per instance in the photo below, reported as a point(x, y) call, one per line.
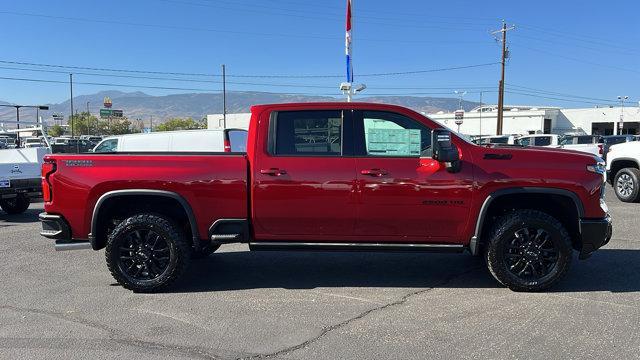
point(238, 304)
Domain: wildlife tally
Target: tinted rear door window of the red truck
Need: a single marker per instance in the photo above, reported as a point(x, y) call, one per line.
point(310, 133)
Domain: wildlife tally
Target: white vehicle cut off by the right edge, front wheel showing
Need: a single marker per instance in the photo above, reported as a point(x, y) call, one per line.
point(623, 170)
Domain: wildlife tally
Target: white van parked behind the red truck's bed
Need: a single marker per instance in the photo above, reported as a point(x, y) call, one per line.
point(228, 140)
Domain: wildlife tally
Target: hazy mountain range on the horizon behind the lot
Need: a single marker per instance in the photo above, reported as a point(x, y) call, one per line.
point(198, 105)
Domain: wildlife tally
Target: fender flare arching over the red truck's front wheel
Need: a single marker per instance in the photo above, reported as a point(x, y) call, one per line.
point(474, 244)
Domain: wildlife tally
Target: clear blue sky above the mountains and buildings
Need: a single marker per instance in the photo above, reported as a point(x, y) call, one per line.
point(565, 53)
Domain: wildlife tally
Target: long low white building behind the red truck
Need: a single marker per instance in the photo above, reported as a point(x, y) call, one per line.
point(517, 120)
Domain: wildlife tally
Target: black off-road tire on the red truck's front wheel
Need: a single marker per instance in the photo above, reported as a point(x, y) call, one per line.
point(499, 252)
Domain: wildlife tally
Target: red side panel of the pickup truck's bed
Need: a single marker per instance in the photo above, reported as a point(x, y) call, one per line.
point(215, 185)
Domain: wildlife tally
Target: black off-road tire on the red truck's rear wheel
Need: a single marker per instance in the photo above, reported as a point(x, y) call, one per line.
point(177, 256)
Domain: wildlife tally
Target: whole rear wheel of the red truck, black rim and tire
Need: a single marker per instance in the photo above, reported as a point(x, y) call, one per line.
point(147, 253)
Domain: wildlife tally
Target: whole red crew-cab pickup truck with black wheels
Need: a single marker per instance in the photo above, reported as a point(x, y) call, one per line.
point(332, 176)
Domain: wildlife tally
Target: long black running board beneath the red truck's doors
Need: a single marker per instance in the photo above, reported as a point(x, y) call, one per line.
point(322, 246)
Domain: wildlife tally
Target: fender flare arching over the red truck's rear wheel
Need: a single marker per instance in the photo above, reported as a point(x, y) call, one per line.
point(144, 192)
